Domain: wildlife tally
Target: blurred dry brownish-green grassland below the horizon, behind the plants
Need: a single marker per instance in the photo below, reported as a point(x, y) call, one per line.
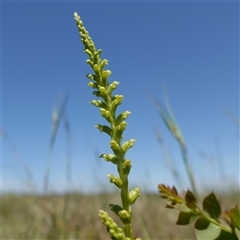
point(75, 216)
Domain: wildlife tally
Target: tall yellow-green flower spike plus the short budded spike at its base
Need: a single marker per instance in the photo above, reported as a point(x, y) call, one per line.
point(108, 107)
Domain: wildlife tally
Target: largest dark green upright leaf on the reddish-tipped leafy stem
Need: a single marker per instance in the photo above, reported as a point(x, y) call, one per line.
point(212, 206)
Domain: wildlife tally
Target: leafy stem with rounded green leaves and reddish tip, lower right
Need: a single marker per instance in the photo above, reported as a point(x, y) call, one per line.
point(211, 223)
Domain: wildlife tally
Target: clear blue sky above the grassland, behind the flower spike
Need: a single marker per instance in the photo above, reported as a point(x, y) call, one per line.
point(192, 48)
